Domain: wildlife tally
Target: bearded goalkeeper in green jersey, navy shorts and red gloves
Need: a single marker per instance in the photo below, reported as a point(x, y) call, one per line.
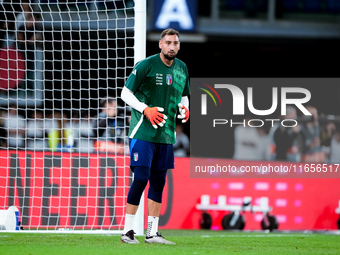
point(157, 88)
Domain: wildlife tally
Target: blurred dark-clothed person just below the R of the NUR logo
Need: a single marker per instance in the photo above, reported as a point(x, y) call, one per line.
point(286, 141)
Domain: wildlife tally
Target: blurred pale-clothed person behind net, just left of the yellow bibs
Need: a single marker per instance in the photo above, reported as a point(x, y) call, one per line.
point(35, 134)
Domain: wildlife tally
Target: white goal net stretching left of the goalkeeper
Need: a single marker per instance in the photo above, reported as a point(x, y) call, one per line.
point(64, 157)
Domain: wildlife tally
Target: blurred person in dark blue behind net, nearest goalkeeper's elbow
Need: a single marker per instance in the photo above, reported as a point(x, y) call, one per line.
point(107, 126)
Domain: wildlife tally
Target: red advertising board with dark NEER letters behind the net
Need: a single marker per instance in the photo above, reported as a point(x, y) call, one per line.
point(64, 189)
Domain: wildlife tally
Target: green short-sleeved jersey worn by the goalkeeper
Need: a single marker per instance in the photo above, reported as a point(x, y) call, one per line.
point(156, 84)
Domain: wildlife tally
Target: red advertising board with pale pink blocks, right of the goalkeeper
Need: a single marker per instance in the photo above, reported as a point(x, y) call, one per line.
point(298, 203)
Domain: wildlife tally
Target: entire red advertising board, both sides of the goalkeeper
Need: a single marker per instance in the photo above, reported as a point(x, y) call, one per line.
point(89, 191)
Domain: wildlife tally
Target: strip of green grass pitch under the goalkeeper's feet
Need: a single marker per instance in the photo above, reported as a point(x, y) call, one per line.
point(188, 242)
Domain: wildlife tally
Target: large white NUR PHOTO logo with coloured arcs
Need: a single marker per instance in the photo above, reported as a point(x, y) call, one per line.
point(241, 100)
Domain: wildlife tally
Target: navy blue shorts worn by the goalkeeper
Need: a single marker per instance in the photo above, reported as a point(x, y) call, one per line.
point(157, 156)
